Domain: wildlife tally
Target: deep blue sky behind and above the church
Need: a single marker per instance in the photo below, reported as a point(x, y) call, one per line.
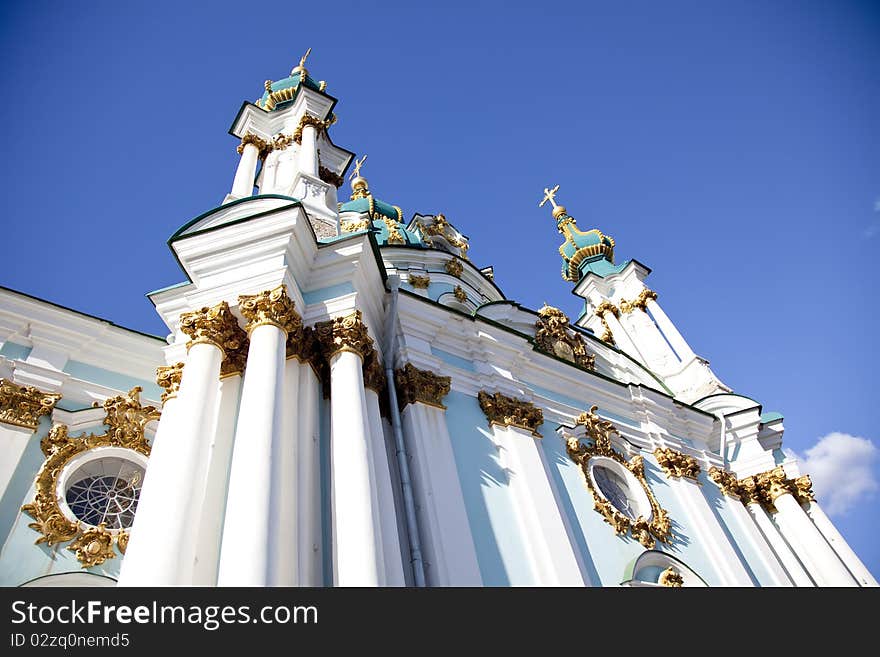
point(733, 147)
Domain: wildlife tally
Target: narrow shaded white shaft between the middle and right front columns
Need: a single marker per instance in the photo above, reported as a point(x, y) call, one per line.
point(308, 496)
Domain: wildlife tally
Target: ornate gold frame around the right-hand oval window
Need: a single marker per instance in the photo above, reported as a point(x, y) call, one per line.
point(647, 532)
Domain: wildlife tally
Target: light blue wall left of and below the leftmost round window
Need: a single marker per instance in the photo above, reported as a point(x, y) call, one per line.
point(20, 559)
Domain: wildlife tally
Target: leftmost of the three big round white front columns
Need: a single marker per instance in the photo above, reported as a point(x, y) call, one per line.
point(161, 550)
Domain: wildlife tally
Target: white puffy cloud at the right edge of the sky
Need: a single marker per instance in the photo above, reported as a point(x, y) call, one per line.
point(841, 467)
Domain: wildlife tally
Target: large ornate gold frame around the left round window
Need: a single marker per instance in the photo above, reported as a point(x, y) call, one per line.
point(126, 419)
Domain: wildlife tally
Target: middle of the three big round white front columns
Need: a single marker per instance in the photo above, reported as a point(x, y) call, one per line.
point(248, 532)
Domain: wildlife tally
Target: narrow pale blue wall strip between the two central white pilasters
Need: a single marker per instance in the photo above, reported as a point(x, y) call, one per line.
point(488, 499)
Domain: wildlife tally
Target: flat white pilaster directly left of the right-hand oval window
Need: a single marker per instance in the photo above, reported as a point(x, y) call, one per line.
point(554, 560)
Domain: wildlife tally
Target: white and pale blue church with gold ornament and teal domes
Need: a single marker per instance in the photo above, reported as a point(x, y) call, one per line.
point(344, 398)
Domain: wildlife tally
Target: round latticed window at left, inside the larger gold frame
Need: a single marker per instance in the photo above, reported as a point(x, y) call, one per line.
point(102, 486)
